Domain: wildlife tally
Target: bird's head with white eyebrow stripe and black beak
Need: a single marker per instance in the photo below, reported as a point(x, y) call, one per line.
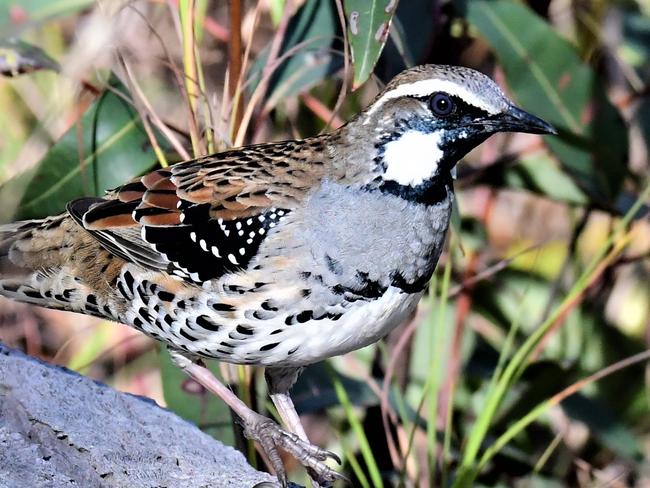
point(428, 117)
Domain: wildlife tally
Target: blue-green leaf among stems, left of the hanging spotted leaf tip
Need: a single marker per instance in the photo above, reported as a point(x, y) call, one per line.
point(310, 35)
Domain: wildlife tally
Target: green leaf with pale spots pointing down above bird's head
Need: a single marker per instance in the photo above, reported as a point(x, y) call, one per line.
point(368, 28)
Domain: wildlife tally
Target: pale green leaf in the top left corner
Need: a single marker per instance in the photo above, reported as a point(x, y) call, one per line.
point(19, 12)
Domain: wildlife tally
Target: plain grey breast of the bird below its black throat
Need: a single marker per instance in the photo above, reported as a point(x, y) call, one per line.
point(356, 236)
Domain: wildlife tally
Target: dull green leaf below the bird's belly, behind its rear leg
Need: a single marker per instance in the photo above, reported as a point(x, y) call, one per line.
point(192, 402)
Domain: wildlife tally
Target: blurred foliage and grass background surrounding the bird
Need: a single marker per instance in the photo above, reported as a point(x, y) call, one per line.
point(525, 365)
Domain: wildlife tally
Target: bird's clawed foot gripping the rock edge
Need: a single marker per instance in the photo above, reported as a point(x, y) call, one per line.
point(271, 437)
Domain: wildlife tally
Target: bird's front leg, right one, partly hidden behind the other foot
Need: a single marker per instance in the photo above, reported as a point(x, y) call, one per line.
point(279, 381)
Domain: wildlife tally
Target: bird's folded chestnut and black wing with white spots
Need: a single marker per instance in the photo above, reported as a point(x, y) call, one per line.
point(201, 219)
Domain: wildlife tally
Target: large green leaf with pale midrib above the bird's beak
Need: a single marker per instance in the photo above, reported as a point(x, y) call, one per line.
point(547, 77)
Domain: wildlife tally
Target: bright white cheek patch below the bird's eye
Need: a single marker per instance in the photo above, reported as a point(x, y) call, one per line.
point(413, 158)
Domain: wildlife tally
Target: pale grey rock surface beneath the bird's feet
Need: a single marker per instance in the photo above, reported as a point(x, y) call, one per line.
point(60, 429)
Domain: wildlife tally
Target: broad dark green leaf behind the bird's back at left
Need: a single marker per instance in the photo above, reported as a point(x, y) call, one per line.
point(107, 147)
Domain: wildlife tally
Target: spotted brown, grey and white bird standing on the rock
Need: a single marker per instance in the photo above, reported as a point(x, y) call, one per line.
point(278, 254)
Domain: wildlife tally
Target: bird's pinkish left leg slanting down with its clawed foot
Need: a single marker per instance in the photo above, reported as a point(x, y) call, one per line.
point(257, 427)
